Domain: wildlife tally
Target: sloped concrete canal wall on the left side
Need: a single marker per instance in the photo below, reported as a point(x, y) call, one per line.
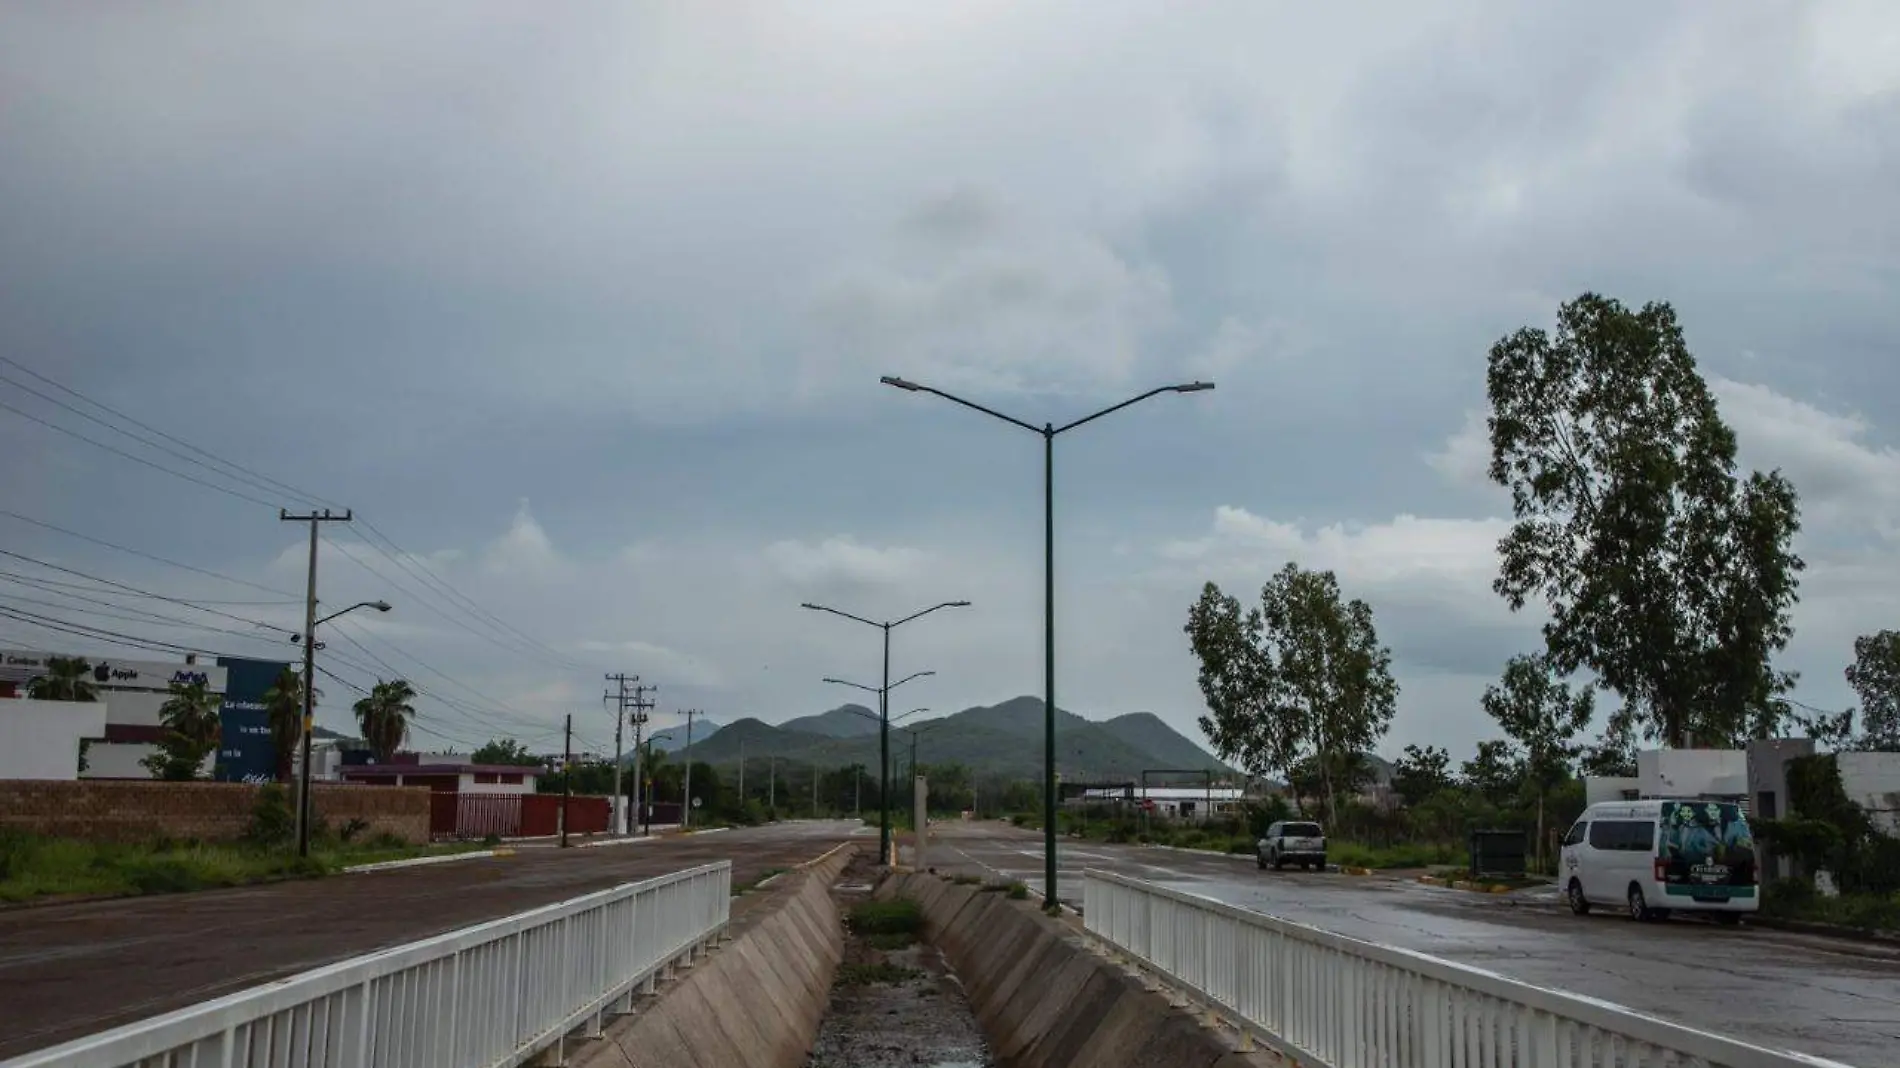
point(757, 1001)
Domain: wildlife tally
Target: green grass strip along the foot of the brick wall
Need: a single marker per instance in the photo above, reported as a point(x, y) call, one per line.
point(33, 868)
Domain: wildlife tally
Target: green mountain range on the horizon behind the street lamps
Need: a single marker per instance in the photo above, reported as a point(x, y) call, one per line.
point(995, 740)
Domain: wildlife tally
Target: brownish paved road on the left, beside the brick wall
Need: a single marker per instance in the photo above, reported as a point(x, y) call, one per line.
point(73, 970)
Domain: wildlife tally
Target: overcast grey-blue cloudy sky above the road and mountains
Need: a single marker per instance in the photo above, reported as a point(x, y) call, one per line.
point(586, 305)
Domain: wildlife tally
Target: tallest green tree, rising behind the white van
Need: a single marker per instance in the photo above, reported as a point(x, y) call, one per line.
point(1665, 573)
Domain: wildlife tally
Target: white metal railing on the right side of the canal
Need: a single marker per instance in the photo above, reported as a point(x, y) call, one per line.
point(1350, 1004)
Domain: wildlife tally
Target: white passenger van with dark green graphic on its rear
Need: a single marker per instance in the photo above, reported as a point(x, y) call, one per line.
point(1662, 856)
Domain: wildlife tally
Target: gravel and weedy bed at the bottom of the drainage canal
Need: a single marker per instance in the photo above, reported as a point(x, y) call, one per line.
point(896, 1002)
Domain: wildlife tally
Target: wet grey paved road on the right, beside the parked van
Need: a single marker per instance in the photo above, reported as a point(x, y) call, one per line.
point(1817, 997)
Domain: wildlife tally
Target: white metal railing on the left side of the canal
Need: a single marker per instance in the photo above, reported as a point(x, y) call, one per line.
point(491, 995)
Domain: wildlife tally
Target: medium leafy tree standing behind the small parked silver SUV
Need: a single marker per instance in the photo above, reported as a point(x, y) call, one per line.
point(1301, 677)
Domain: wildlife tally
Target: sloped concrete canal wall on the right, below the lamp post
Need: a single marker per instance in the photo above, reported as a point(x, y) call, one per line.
point(1048, 1001)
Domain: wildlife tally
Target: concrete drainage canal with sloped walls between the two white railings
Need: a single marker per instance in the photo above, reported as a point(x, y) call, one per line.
point(843, 966)
